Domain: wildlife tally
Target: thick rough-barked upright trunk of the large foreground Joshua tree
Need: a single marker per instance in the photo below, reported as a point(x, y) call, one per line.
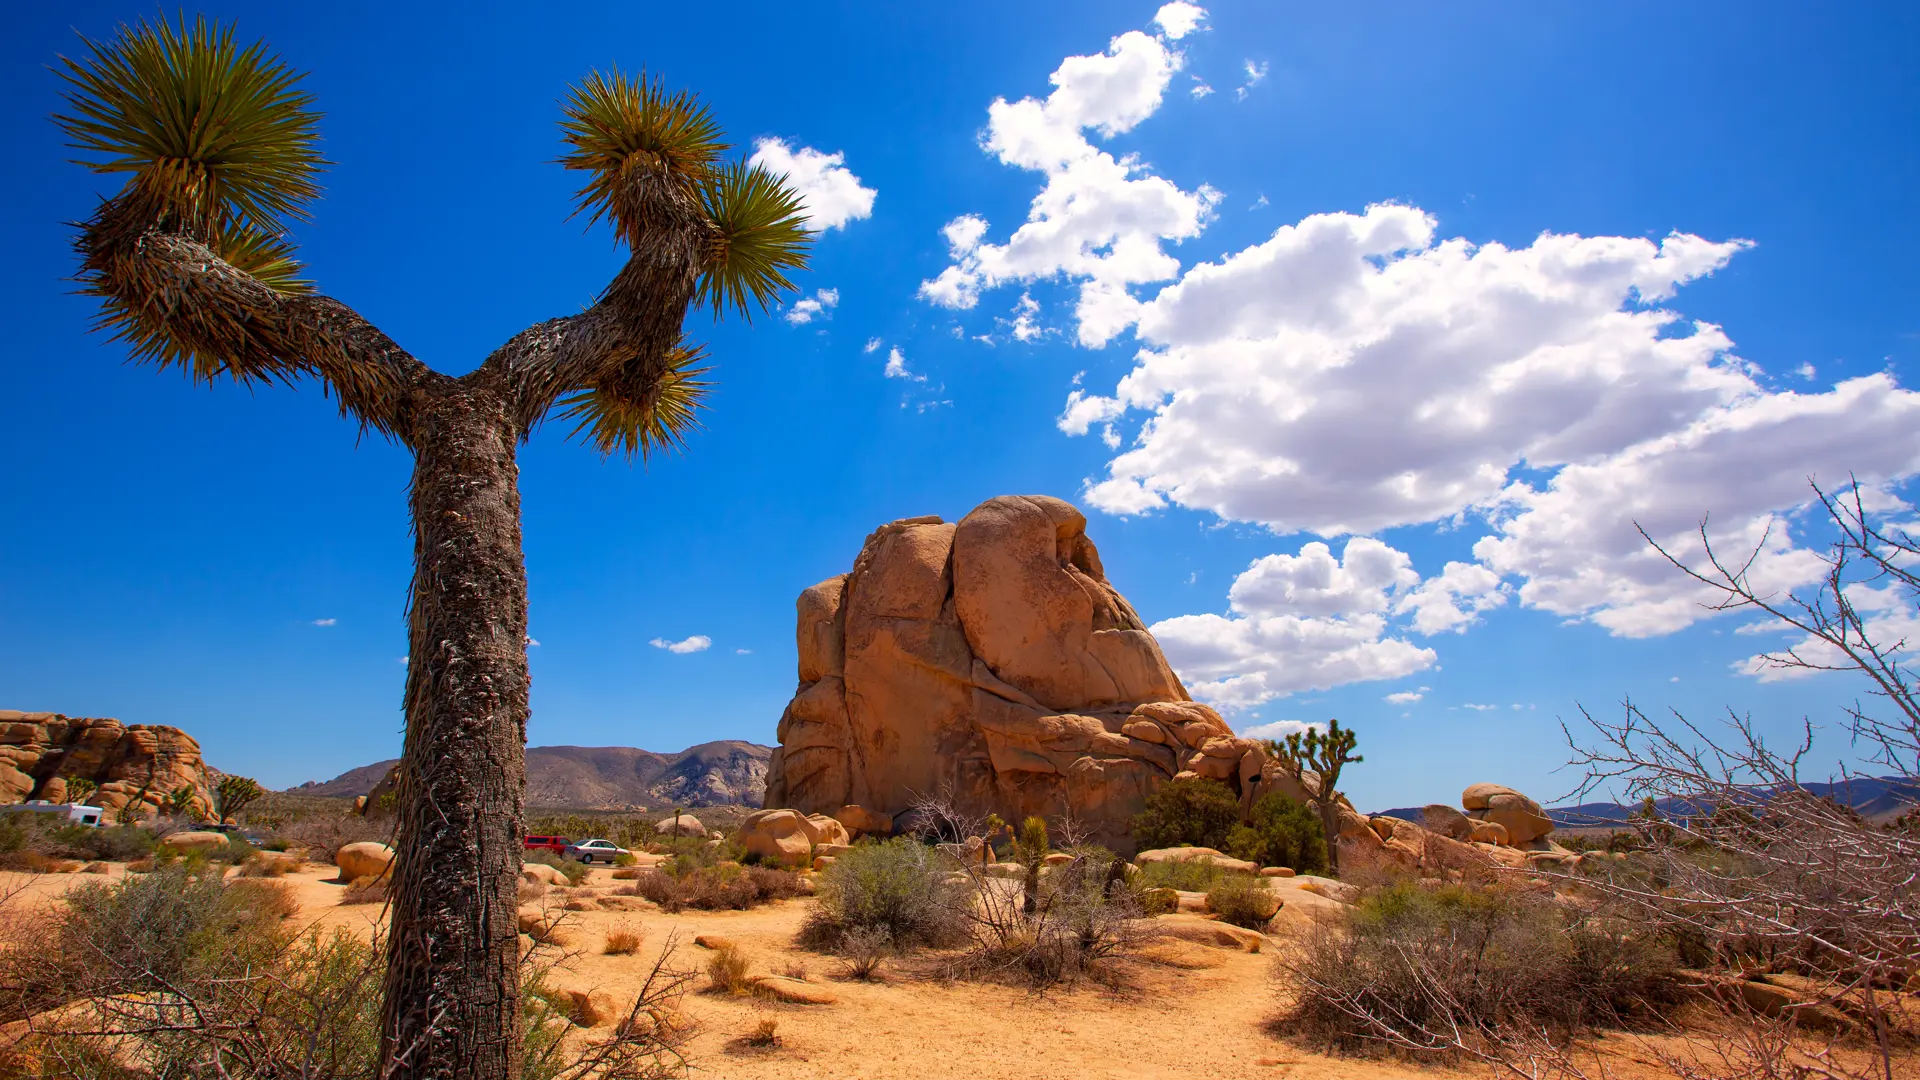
point(452, 983)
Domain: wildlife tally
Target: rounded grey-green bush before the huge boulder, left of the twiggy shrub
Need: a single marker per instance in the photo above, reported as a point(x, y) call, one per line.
point(896, 887)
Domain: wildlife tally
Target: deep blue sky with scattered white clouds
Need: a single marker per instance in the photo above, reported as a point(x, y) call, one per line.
point(1481, 287)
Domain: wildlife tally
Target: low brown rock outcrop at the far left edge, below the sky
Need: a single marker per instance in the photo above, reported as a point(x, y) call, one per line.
point(132, 764)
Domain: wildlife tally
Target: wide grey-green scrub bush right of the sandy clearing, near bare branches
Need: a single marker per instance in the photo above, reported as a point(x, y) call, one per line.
point(1416, 966)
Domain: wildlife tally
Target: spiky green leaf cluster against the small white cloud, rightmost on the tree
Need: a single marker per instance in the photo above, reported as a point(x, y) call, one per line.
point(759, 235)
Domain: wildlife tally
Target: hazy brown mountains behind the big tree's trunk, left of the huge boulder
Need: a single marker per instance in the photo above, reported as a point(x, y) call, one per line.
point(612, 777)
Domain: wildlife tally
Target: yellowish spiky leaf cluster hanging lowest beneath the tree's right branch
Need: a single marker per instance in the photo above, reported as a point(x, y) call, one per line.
point(646, 414)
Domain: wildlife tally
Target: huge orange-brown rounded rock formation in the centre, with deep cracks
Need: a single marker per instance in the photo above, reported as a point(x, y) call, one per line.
point(990, 660)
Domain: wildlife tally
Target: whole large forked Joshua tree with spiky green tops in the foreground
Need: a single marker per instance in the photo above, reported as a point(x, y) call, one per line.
point(195, 272)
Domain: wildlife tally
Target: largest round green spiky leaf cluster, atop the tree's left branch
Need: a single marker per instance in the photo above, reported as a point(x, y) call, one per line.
point(220, 141)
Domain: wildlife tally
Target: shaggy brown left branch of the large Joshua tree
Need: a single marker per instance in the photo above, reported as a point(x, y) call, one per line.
point(178, 301)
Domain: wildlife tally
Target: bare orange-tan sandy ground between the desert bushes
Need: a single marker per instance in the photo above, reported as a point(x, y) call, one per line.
point(1203, 1016)
